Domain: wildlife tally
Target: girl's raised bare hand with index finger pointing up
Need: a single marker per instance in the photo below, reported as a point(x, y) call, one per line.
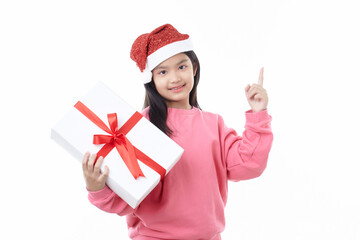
point(256, 94)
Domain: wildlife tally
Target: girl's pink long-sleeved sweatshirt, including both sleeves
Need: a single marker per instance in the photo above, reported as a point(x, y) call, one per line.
point(189, 203)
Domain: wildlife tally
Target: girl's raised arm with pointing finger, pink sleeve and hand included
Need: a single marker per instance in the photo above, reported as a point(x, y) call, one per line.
point(247, 156)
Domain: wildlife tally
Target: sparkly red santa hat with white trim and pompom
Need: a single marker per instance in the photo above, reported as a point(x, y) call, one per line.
point(151, 49)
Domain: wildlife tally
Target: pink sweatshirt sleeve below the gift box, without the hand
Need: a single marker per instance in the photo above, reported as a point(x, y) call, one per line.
point(108, 201)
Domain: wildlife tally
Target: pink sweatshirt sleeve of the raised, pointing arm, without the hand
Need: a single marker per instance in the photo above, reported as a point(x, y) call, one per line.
point(246, 156)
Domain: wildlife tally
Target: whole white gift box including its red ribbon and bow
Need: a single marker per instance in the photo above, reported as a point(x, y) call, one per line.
point(127, 139)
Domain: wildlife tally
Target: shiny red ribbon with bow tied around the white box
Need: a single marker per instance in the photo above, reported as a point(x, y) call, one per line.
point(118, 139)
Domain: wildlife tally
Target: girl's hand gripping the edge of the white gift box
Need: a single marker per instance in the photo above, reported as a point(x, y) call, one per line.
point(95, 180)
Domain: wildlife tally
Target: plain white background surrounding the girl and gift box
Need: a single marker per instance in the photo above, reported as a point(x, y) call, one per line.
point(52, 52)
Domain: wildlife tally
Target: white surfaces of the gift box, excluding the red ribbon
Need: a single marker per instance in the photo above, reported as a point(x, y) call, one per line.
point(75, 133)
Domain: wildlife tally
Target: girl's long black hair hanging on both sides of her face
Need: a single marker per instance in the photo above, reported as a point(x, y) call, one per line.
point(157, 106)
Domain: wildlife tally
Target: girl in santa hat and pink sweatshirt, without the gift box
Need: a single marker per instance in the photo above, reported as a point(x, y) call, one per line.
point(189, 203)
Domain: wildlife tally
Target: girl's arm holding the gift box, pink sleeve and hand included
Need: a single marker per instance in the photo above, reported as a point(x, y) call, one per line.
point(101, 195)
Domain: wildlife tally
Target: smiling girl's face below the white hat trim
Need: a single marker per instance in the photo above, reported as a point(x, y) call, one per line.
point(174, 80)
